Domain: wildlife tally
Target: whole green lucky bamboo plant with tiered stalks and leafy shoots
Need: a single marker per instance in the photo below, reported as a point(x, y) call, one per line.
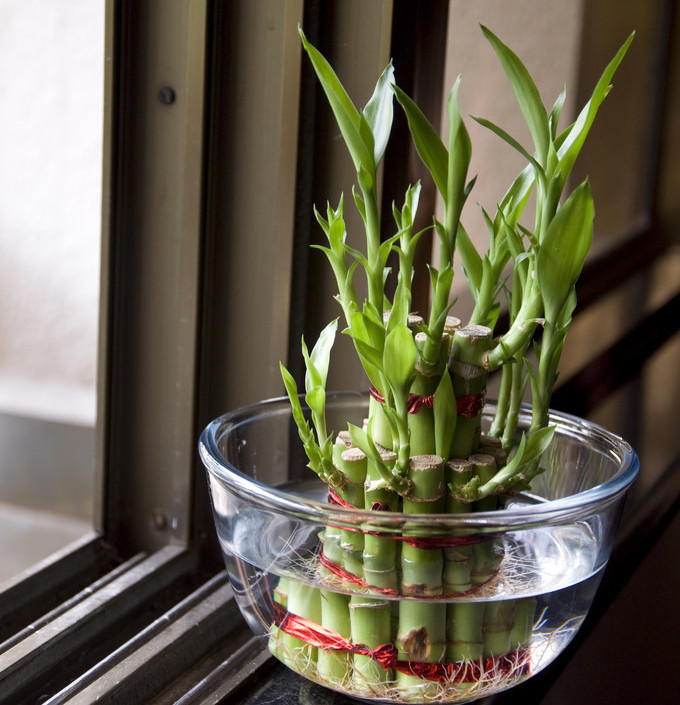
point(422, 449)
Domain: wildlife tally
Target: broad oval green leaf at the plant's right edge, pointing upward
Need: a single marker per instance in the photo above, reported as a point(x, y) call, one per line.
point(563, 250)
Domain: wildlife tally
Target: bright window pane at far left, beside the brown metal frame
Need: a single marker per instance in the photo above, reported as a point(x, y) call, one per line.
point(51, 85)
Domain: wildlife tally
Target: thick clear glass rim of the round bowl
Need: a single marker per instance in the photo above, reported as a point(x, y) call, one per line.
point(570, 508)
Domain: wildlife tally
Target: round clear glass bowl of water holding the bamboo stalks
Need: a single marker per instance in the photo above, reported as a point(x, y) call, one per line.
point(295, 561)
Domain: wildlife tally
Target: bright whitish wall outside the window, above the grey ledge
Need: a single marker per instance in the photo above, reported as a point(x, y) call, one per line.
point(51, 88)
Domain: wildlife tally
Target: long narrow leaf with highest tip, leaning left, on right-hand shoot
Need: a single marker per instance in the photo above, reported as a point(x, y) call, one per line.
point(526, 93)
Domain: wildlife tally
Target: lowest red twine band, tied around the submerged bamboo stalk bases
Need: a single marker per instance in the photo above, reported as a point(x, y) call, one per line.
point(388, 657)
